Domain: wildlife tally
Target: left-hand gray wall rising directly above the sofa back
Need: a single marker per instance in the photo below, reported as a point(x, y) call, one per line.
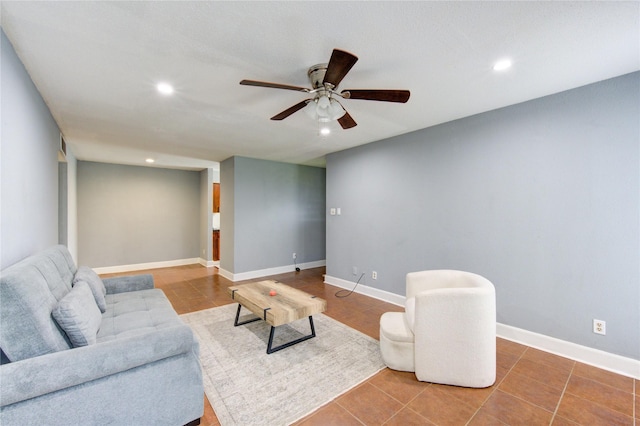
point(28, 164)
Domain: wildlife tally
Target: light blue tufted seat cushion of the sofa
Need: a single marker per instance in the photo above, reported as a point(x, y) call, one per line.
point(134, 313)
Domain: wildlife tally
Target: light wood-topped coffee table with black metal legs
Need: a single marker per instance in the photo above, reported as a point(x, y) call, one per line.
point(288, 305)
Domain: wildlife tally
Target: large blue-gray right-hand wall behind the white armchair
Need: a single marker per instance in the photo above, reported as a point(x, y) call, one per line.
point(542, 198)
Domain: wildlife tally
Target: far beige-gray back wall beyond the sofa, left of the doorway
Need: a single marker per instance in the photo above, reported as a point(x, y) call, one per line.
point(129, 214)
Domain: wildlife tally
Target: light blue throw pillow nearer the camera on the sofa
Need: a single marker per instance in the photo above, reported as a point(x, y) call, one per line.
point(78, 315)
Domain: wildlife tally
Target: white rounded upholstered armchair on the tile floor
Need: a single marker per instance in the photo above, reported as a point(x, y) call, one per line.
point(447, 333)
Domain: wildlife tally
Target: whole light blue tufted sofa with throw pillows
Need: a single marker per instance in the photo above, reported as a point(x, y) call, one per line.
point(140, 367)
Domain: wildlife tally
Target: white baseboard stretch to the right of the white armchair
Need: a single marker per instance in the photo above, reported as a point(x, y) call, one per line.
point(595, 357)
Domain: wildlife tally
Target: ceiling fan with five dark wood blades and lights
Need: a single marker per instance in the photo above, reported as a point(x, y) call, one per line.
point(325, 78)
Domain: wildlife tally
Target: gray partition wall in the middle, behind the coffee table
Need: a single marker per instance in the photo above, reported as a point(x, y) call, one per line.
point(276, 209)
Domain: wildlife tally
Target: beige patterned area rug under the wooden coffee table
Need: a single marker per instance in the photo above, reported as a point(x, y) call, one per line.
point(245, 386)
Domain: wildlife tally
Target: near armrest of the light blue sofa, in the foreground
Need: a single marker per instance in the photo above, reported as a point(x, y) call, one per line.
point(44, 374)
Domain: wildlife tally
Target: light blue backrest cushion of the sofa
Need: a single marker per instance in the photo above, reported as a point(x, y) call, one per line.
point(29, 291)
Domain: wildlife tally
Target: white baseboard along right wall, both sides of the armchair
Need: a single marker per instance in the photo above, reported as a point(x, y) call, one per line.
point(584, 354)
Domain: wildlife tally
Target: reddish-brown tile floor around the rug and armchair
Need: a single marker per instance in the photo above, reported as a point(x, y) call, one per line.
point(532, 387)
